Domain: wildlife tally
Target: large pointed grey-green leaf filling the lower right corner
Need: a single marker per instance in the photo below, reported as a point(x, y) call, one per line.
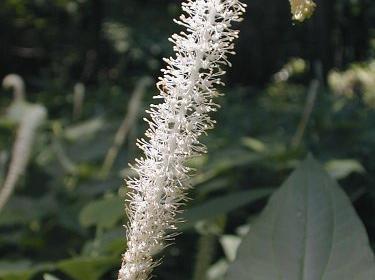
point(308, 231)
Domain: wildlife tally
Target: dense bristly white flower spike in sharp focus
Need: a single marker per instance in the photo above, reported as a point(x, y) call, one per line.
point(187, 90)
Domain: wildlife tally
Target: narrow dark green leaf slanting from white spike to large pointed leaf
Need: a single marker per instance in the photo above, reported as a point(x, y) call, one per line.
point(222, 205)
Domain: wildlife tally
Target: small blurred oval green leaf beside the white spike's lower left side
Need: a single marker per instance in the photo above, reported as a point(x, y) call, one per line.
point(104, 213)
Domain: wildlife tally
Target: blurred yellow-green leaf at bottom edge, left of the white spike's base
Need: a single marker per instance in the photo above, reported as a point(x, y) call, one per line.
point(86, 268)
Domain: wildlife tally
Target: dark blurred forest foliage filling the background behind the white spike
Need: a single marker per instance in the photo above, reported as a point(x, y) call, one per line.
point(293, 88)
